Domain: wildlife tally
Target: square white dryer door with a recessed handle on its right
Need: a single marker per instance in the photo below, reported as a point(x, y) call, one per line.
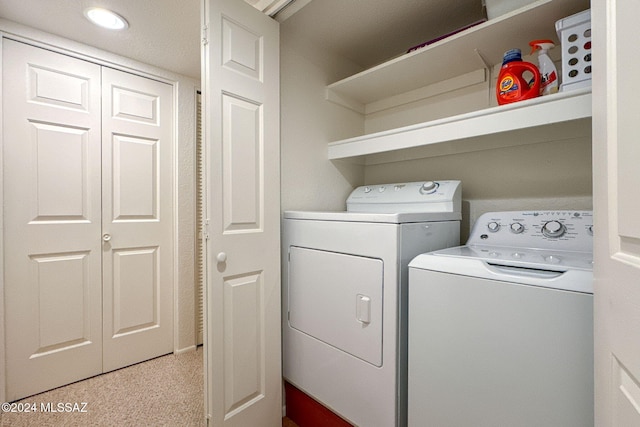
point(337, 298)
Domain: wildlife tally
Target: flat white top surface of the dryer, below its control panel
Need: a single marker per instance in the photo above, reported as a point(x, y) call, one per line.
point(391, 218)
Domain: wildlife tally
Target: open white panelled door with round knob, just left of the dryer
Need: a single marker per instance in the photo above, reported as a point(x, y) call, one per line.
point(241, 118)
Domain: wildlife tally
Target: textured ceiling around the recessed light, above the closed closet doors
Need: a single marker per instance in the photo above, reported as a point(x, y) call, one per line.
point(164, 33)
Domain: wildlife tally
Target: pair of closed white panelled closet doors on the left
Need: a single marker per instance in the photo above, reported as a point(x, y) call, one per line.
point(87, 161)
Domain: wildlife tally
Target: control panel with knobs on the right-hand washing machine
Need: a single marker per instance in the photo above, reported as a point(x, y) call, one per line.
point(557, 230)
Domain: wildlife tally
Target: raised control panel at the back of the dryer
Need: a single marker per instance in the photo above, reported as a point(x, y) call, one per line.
point(421, 196)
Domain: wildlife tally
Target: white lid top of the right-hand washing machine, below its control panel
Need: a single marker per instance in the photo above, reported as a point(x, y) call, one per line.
point(570, 271)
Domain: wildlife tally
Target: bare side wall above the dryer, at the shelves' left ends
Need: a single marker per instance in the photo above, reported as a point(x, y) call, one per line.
point(309, 181)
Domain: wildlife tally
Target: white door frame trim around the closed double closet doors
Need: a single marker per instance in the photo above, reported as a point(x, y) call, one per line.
point(184, 90)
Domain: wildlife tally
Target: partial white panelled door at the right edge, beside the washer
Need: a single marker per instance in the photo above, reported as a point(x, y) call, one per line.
point(616, 154)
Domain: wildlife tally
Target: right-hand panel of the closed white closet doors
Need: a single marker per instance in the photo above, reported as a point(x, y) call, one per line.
point(137, 233)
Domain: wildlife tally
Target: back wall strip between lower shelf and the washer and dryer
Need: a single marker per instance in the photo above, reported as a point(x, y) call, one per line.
point(549, 175)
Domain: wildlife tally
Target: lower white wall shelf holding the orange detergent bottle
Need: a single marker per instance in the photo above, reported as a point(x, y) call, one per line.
point(562, 116)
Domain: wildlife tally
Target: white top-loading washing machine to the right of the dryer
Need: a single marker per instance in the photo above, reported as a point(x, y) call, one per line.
point(501, 330)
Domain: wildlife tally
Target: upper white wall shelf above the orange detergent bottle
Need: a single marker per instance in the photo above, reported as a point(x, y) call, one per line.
point(477, 47)
